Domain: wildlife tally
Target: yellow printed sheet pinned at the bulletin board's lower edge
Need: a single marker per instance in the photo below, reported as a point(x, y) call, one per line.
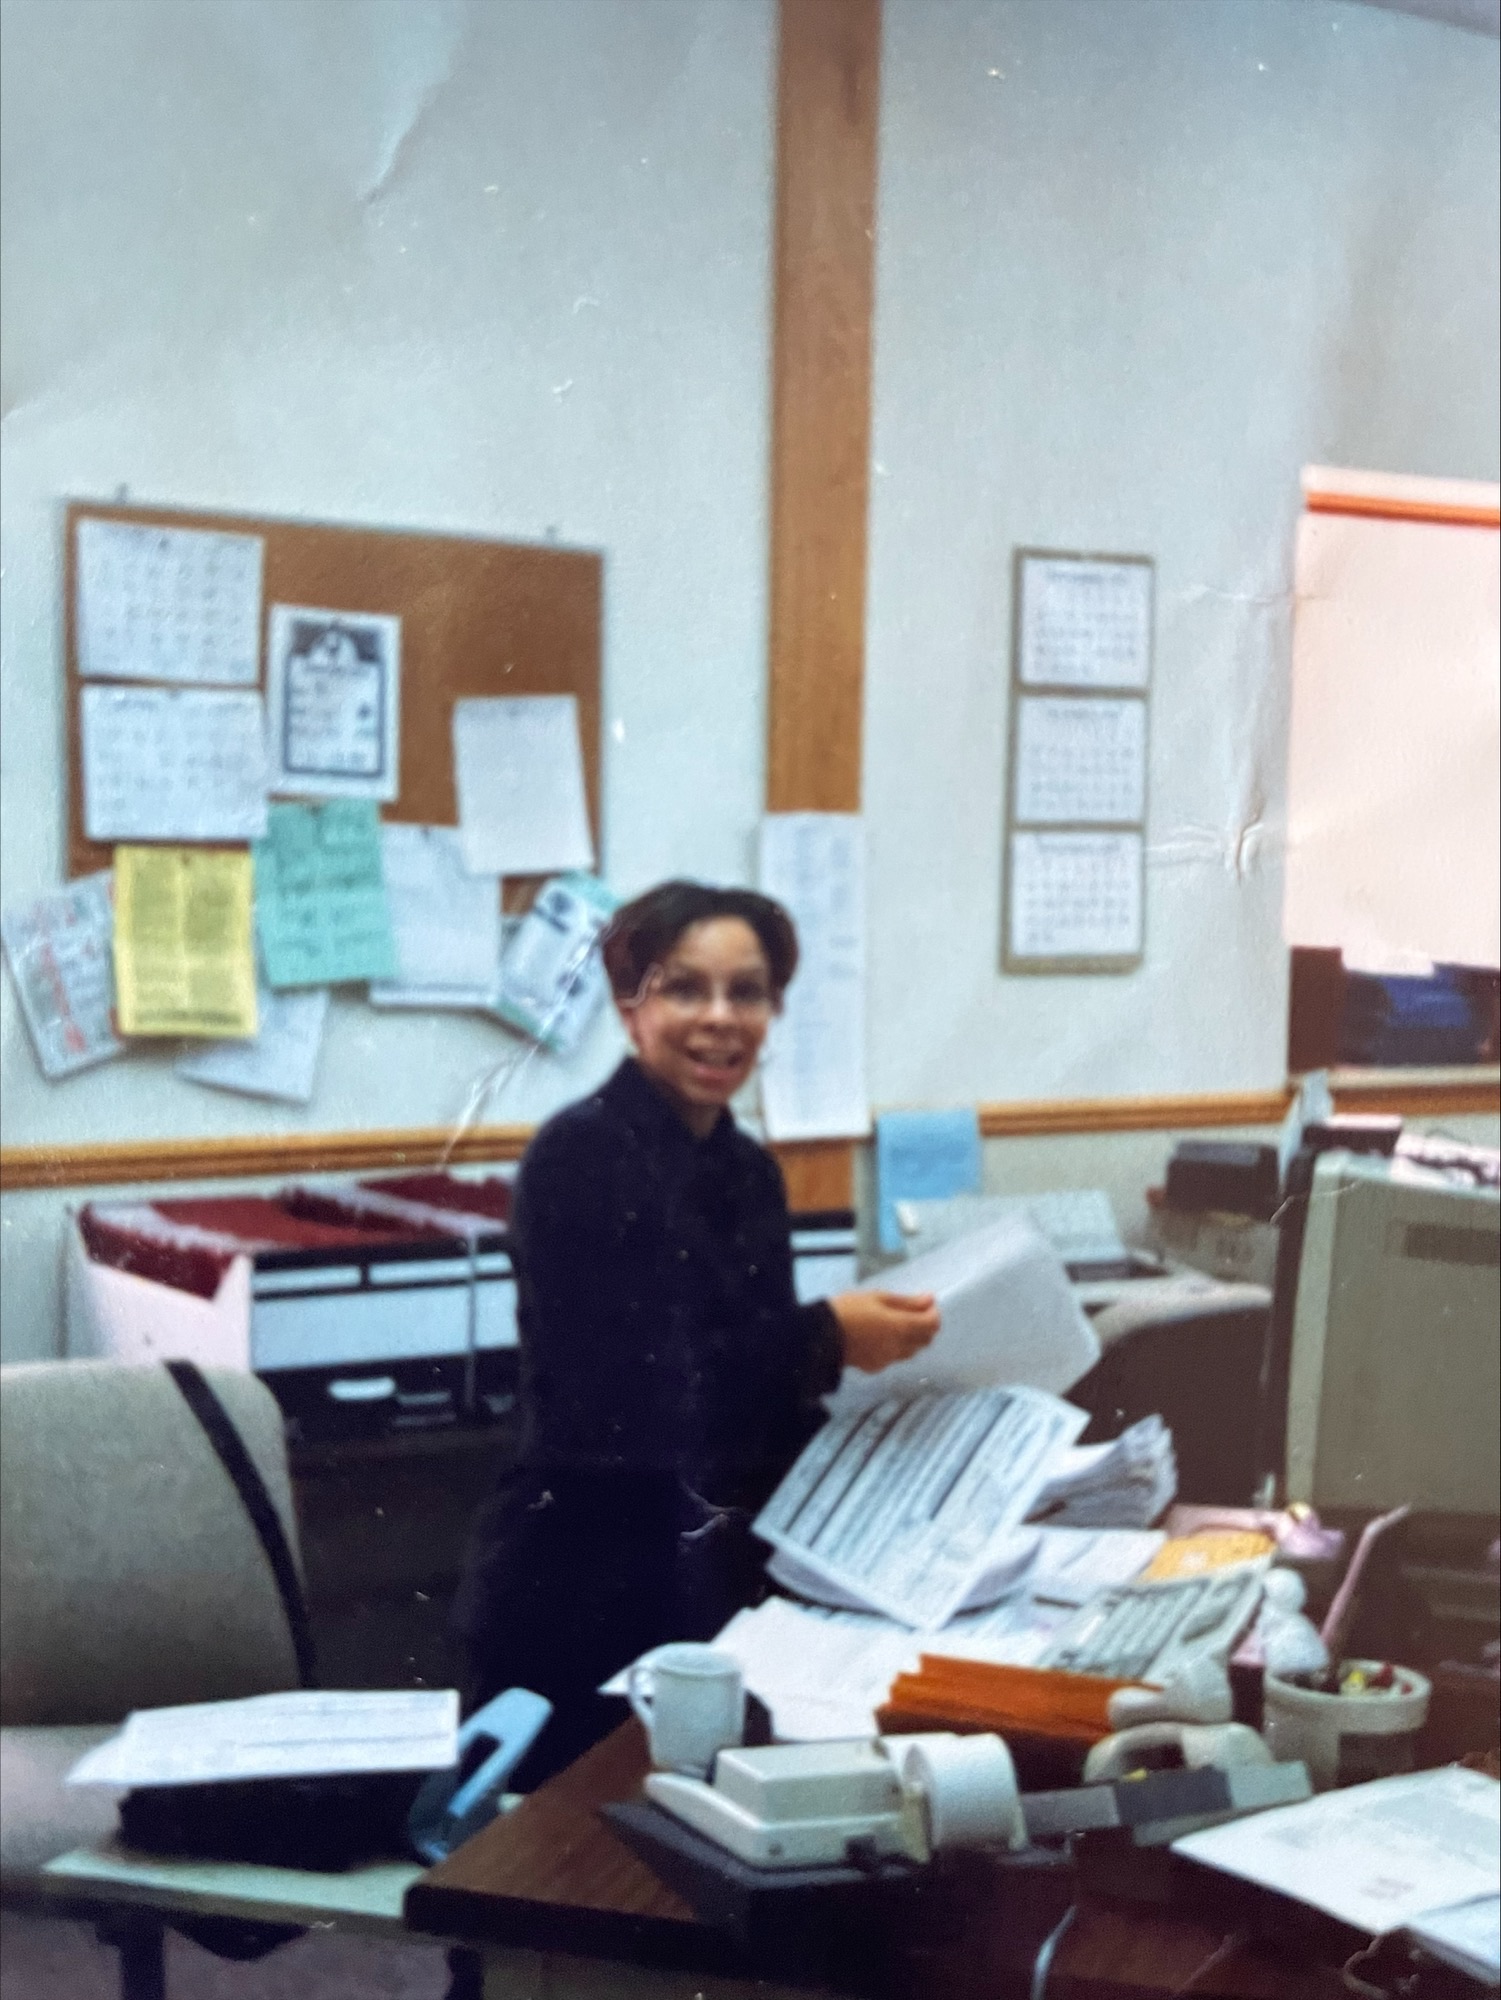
point(183, 951)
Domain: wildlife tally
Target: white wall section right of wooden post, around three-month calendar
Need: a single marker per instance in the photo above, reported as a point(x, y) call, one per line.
point(1138, 263)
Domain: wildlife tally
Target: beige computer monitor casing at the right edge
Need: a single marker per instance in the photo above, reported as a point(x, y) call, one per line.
point(1396, 1391)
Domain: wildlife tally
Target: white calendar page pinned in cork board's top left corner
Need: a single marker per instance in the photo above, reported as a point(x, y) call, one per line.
point(169, 603)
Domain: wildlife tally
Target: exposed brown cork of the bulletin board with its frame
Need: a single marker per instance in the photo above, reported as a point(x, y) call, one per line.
point(477, 619)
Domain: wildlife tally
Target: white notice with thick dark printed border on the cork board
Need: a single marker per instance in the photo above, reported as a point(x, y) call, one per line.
point(333, 693)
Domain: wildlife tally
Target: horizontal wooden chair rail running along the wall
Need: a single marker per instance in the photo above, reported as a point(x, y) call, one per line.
point(816, 1173)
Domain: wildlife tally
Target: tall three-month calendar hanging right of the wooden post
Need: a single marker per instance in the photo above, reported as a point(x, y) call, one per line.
point(1078, 787)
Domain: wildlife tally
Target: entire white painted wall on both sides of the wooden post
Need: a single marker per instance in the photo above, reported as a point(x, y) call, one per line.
point(503, 267)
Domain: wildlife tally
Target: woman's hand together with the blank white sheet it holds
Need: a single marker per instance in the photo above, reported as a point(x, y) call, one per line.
point(1002, 1309)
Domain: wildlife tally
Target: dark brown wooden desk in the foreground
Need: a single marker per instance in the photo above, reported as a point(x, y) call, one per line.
point(551, 1877)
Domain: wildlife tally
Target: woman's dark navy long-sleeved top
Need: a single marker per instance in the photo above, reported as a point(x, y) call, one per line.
point(659, 1327)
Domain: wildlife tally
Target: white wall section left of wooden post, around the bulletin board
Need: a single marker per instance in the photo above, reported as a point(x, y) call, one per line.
point(461, 265)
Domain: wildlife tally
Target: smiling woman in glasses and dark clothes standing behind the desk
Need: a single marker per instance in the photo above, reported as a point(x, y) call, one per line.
point(667, 1373)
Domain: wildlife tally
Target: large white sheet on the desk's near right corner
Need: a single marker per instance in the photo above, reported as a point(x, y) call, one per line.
point(1374, 1855)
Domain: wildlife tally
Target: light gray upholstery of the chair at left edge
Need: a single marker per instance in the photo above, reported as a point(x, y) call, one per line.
point(131, 1577)
